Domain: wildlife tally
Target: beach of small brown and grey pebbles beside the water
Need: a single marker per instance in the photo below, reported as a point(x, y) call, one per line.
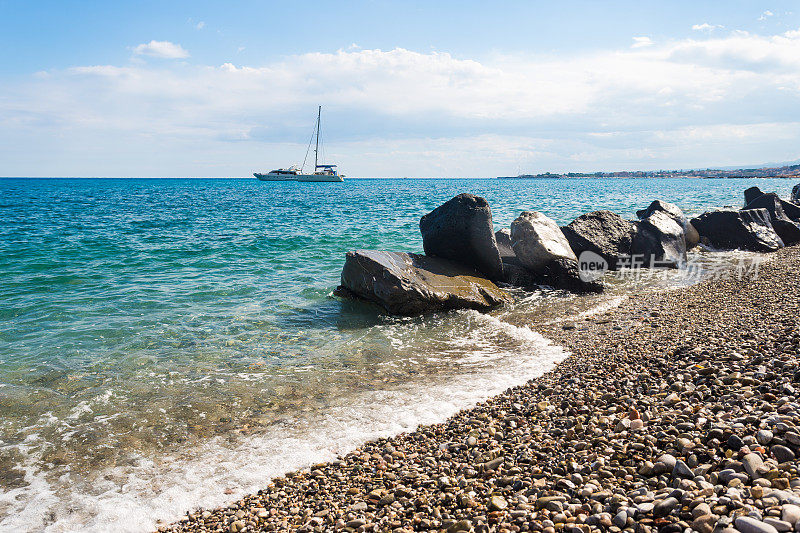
point(672, 411)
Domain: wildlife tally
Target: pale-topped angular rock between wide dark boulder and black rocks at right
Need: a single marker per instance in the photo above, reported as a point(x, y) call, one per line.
point(660, 241)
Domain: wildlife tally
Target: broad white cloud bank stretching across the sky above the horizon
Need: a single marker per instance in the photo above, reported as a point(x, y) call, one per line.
point(694, 102)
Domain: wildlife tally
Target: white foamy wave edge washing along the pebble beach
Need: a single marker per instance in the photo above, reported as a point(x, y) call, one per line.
point(507, 355)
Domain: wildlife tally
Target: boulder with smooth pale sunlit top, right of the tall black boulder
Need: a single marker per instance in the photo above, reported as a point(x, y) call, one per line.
point(545, 256)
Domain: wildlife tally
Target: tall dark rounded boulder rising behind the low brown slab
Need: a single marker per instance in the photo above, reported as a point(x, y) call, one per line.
point(461, 229)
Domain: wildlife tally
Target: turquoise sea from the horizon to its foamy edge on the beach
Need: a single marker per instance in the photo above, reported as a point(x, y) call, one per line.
point(163, 342)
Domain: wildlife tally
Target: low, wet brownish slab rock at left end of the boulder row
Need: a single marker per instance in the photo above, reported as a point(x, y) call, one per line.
point(411, 284)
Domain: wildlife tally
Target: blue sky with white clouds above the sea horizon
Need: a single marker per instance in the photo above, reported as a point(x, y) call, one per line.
point(449, 89)
